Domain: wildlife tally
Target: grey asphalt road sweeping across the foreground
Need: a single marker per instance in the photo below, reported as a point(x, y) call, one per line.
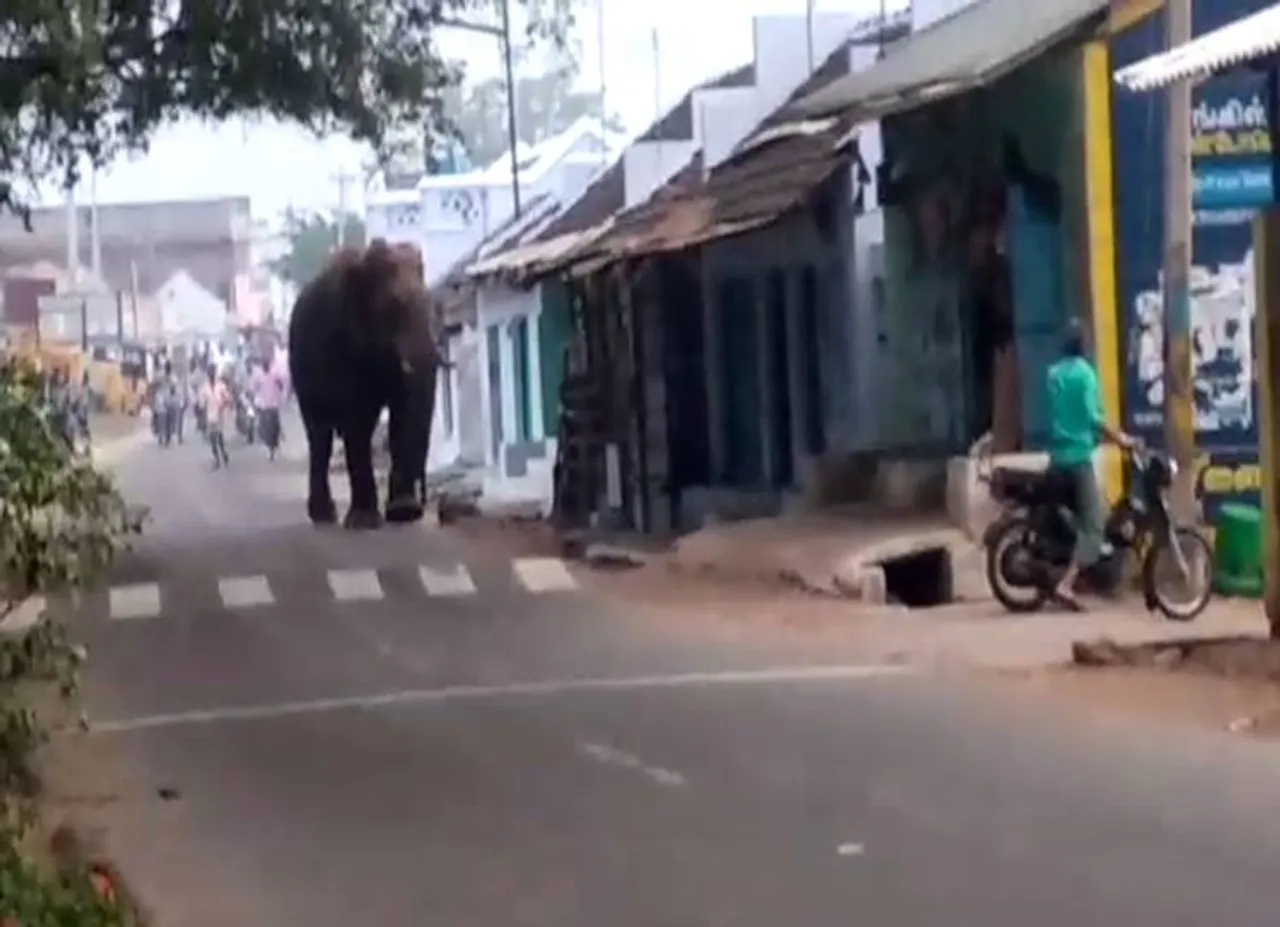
point(519, 755)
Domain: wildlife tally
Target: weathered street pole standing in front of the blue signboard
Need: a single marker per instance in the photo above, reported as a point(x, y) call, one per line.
point(1180, 398)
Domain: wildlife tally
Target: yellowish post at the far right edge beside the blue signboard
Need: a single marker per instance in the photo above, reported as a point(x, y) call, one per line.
point(1267, 276)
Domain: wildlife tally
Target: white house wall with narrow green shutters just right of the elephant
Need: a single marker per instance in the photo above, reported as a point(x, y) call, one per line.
point(518, 468)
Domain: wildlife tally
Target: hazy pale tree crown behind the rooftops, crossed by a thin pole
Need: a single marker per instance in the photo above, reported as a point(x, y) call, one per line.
point(546, 106)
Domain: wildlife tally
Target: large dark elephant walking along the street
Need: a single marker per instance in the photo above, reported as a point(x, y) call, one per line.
point(363, 340)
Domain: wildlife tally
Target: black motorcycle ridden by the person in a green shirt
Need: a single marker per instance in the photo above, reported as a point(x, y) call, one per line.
point(1030, 546)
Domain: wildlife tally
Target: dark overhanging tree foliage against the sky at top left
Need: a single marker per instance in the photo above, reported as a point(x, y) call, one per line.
point(98, 76)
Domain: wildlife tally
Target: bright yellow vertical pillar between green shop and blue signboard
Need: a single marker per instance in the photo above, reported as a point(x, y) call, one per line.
point(1101, 238)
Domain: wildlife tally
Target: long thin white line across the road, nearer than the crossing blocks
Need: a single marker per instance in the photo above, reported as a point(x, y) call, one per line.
point(794, 675)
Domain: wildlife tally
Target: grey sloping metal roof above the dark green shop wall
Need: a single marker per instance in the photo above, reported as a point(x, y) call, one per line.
point(970, 48)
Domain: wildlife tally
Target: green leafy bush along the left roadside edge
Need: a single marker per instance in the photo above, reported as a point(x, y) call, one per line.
point(61, 524)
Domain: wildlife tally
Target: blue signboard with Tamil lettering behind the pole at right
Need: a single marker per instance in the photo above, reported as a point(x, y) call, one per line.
point(1232, 180)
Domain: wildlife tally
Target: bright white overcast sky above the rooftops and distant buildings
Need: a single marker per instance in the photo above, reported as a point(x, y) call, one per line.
point(281, 167)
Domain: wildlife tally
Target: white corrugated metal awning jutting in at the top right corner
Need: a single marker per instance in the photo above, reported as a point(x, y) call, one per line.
point(1240, 43)
